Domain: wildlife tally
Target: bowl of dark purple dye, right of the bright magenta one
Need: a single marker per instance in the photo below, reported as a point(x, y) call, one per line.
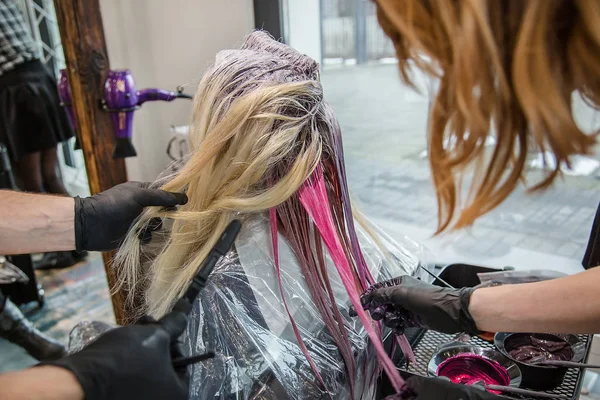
point(525, 349)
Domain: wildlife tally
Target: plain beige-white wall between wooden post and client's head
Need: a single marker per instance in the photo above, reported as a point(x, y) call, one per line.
point(166, 43)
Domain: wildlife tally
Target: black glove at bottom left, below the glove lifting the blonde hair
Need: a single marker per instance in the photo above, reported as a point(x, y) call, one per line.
point(132, 362)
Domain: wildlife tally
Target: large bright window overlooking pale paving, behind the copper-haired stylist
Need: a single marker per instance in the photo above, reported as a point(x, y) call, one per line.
point(384, 126)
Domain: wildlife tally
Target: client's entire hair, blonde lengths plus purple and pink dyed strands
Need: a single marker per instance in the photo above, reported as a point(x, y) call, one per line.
point(260, 135)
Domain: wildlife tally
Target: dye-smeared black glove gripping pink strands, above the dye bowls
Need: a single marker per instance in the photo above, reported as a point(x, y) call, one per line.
point(407, 302)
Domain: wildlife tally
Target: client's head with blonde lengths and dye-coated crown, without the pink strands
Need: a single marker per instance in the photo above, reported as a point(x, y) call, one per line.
point(259, 128)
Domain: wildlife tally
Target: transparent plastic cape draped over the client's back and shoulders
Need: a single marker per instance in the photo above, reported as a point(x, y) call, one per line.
point(240, 316)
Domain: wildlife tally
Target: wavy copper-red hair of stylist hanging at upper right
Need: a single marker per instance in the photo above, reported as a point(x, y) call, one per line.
point(504, 66)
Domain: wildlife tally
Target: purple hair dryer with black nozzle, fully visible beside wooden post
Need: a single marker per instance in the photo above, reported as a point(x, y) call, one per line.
point(121, 99)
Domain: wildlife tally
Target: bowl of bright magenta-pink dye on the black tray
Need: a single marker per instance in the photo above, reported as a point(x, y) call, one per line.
point(467, 364)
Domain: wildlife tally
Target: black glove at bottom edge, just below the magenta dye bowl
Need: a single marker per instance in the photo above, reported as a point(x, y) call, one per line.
point(421, 388)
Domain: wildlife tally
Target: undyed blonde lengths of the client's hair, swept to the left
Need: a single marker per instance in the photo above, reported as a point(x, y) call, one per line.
point(231, 157)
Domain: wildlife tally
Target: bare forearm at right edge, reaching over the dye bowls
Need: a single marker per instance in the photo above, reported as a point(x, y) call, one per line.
point(566, 305)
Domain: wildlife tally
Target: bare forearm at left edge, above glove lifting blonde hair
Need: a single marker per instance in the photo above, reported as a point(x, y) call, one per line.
point(35, 223)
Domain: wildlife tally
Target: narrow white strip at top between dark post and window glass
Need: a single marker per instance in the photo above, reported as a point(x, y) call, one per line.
point(304, 27)
